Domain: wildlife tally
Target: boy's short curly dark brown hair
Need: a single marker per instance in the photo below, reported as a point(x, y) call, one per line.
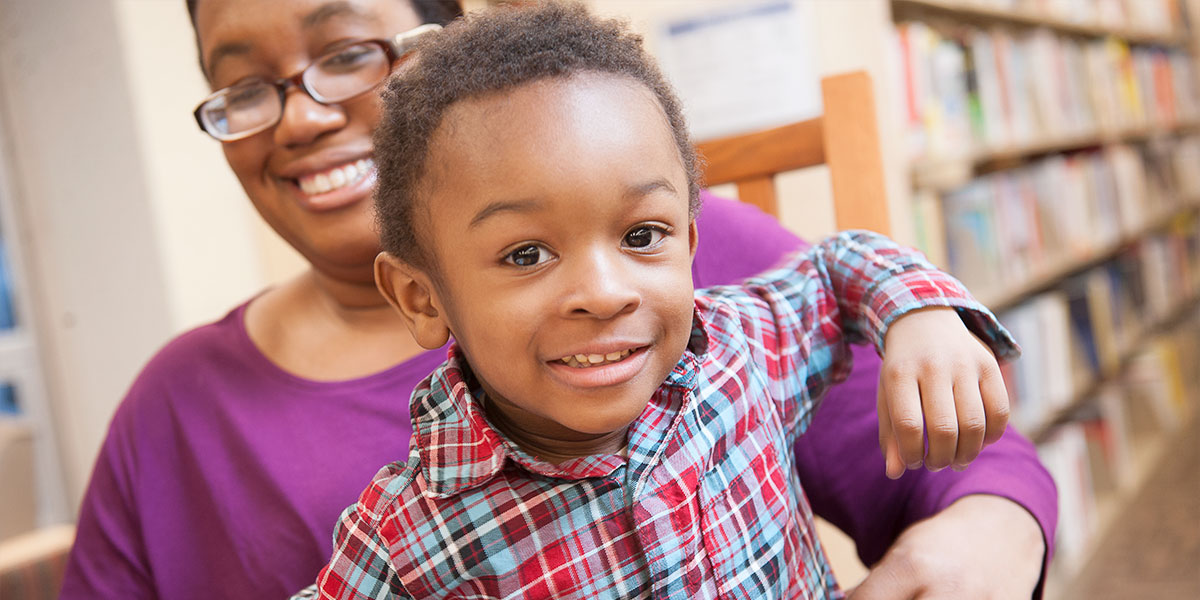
point(491, 52)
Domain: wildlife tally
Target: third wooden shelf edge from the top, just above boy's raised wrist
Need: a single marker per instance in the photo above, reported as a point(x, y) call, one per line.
point(1015, 293)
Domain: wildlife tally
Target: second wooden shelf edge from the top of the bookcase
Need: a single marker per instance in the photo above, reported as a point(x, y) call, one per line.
point(950, 172)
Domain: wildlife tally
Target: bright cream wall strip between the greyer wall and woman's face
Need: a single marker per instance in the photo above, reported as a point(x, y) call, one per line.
point(203, 225)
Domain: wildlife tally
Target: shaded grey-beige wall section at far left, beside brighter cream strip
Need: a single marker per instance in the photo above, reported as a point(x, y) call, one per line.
point(80, 183)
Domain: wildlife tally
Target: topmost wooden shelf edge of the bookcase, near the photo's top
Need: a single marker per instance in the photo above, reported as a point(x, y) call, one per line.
point(1034, 20)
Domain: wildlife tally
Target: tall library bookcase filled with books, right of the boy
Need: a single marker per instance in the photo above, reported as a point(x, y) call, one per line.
point(1054, 160)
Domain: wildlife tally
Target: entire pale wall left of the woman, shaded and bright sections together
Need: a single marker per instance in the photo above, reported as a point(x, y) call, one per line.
point(135, 227)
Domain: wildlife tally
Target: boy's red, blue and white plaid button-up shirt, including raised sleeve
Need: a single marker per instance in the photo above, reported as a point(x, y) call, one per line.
point(707, 503)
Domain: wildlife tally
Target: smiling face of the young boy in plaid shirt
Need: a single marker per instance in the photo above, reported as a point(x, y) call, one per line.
point(557, 219)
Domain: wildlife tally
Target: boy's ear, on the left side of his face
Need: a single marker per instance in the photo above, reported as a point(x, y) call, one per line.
point(412, 293)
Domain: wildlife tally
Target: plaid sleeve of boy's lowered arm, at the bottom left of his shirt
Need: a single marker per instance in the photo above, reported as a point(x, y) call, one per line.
point(361, 567)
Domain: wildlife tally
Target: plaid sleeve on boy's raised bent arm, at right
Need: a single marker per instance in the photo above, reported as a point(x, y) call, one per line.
point(848, 290)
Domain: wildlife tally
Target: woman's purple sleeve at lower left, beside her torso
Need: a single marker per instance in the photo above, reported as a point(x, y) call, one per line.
point(109, 559)
